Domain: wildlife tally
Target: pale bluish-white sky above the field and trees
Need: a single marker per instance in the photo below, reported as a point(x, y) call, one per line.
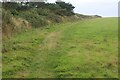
point(105, 8)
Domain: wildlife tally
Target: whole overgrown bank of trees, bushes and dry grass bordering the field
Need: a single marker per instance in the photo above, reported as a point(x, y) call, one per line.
point(20, 17)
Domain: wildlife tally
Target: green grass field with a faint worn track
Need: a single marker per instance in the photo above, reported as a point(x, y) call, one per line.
point(82, 49)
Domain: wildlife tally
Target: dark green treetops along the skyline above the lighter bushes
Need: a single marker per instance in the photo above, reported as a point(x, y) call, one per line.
point(59, 7)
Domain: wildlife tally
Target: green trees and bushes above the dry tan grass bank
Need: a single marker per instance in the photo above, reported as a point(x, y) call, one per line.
point(38, 13)
